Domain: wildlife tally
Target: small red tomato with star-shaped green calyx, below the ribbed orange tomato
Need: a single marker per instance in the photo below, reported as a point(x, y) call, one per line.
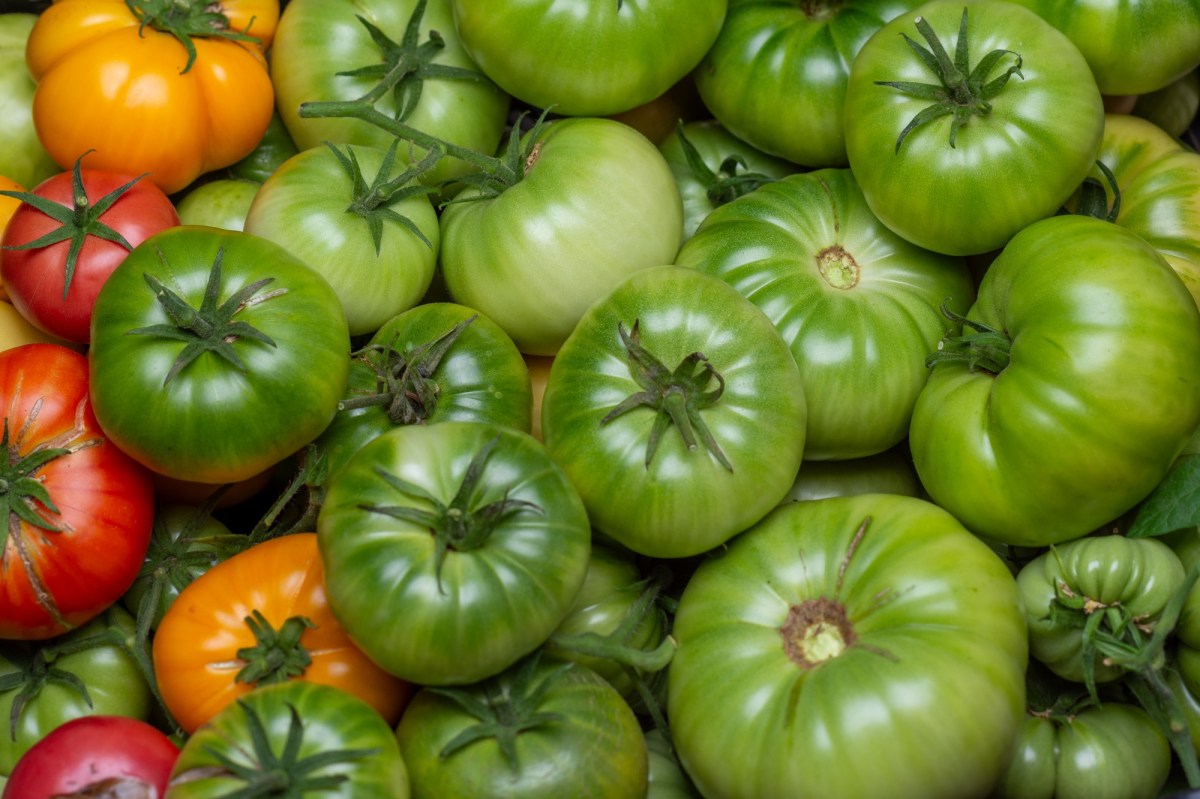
point(69, 236)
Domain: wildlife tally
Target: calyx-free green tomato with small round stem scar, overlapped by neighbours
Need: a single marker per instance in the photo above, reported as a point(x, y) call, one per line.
point(859, 305)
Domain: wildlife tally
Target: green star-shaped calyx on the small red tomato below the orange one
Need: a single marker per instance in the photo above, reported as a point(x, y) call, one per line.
point(77, 223)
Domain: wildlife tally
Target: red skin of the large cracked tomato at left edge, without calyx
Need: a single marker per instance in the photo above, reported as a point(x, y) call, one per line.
point(56, 580)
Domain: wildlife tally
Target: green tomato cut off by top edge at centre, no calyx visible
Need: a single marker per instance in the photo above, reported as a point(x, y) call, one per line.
point(587, 58)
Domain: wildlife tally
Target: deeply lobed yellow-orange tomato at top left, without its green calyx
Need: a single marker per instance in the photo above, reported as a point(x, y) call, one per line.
point(129, 94)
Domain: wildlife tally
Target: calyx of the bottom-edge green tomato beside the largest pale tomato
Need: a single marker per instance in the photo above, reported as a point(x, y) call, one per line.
point(511, 706)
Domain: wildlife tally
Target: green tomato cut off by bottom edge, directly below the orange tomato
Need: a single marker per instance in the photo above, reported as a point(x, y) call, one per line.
point(302, 738)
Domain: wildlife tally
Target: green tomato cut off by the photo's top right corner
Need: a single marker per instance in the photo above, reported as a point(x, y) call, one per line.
point(1132, 49)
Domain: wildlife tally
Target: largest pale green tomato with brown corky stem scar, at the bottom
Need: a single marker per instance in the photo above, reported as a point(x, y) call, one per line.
point(849, 647)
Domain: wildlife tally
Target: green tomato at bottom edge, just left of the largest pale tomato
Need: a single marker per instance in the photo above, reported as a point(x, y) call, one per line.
point(537, 731)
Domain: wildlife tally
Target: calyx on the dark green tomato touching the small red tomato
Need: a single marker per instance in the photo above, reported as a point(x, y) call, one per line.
point(212, 328)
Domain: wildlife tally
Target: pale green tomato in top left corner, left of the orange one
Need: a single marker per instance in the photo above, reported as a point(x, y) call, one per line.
point(22, 159)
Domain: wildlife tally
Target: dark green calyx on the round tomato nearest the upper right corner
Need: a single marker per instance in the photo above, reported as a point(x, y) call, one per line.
point(962, 93)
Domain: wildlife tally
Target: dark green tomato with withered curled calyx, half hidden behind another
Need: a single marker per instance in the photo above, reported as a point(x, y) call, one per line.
point(439, 362)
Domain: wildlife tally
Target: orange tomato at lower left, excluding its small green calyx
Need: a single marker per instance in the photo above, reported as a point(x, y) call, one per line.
point(197, 645)
